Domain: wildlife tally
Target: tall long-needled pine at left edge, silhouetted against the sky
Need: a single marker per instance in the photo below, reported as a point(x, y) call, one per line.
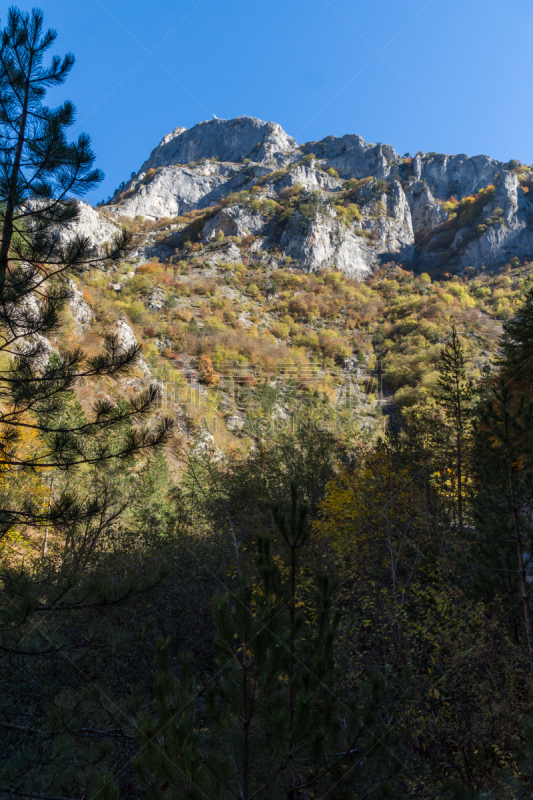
point(41, 173)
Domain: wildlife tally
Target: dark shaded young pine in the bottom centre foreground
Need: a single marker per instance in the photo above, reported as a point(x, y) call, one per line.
point(274, 722)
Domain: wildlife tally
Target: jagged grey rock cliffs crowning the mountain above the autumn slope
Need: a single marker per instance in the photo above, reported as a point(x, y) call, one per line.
point(338, 202)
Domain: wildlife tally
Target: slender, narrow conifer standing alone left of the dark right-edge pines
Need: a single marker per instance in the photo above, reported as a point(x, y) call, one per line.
point(455, 395)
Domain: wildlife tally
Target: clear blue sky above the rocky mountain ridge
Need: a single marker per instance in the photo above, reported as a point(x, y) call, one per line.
point(450, 76)
